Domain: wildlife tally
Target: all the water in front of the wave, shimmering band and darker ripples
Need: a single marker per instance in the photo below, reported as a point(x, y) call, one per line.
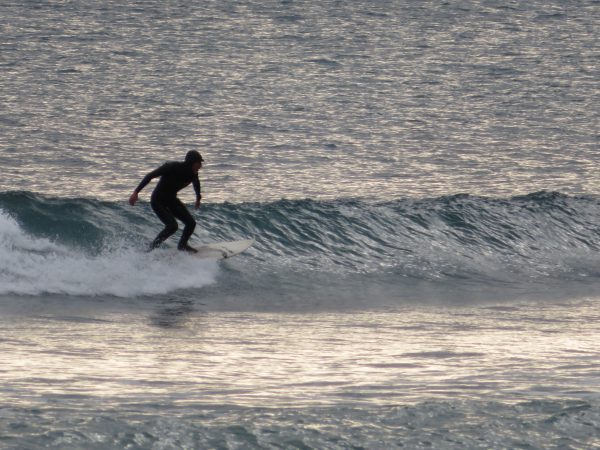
point(163, 373)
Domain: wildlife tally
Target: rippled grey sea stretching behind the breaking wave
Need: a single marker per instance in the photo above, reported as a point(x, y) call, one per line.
point(302, 99)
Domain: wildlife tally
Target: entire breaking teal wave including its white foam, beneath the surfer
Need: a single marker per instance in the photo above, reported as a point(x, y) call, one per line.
point(89, 247)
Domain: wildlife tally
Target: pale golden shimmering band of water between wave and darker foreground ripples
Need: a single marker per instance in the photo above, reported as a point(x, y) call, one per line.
point(176, 352)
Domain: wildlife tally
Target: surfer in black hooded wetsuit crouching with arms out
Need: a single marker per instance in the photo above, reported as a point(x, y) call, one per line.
point(174, 176)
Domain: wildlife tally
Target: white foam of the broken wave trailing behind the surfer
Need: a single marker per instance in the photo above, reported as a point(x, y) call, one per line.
point(31, 266)
